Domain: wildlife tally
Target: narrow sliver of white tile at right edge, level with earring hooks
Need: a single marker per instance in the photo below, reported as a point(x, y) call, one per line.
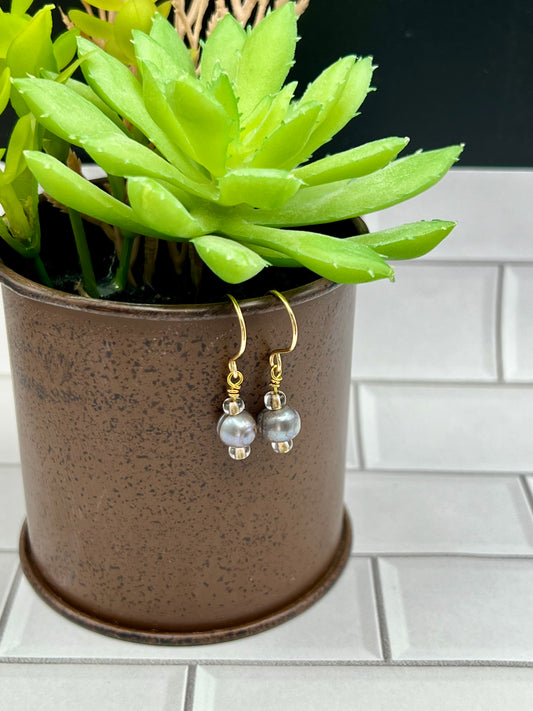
point(517, 323)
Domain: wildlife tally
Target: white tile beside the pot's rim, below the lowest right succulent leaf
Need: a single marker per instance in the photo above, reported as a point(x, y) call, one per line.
point(434, 323)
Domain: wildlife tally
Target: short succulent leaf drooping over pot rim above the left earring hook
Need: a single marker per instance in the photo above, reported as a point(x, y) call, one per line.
point(229, 260)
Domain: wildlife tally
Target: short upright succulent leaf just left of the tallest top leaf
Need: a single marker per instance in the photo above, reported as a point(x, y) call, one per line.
point(223, 47)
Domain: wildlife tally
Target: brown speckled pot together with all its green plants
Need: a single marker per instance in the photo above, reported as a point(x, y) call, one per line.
point(139, 524)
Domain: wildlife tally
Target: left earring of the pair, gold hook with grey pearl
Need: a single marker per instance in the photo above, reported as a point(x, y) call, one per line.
point(236, 428)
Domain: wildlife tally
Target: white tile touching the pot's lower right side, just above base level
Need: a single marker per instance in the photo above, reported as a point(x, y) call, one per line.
point(432, 513)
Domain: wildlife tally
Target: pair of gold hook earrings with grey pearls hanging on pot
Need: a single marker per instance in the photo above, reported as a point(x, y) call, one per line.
point(277, 422)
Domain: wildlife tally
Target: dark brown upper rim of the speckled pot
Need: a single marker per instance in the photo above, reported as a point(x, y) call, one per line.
point(38, 292)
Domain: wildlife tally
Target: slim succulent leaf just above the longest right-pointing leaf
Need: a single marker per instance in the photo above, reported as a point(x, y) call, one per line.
point(352, 163)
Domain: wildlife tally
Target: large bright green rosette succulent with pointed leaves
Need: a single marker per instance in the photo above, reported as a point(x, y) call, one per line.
point(218, 157)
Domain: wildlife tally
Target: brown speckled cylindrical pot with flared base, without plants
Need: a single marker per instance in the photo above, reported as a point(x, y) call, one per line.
point(139, 524)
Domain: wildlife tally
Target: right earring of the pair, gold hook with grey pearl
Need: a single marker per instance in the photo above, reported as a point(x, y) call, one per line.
point(278, 422)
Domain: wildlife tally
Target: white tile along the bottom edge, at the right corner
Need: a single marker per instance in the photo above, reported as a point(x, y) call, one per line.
point(362, 689)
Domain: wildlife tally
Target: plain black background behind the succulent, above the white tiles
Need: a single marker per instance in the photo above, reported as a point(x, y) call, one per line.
point(448, 71)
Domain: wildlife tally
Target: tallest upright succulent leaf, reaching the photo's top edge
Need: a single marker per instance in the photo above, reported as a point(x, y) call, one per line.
point(267, 56)
